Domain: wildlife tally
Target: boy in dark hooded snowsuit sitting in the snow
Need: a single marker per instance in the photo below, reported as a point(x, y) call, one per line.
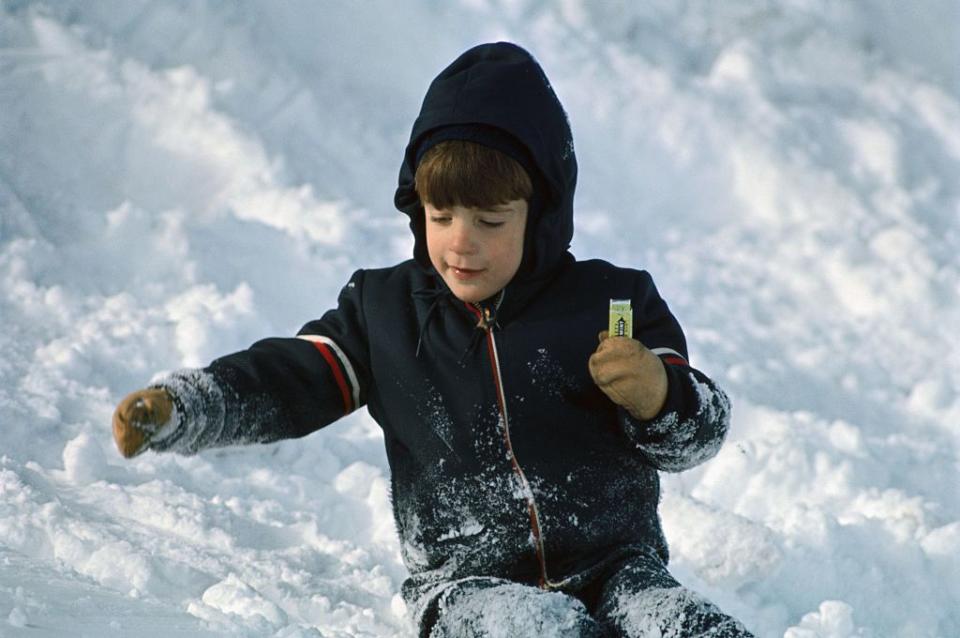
point(523, 455)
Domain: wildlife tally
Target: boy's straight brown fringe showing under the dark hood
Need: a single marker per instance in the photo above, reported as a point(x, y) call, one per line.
point(461, 173)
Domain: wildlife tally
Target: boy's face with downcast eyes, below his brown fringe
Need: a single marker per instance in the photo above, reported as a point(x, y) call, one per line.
point(477, 251)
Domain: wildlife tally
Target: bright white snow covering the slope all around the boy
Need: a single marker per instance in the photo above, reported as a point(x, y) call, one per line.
point(179, 179)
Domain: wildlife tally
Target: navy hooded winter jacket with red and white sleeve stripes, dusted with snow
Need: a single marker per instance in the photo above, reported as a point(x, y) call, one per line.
point(506, 459)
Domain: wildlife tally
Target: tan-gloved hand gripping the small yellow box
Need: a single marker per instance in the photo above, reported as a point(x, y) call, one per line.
point(630, 374)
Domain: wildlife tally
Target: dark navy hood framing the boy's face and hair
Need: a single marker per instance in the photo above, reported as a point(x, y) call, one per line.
point(501, 85)
